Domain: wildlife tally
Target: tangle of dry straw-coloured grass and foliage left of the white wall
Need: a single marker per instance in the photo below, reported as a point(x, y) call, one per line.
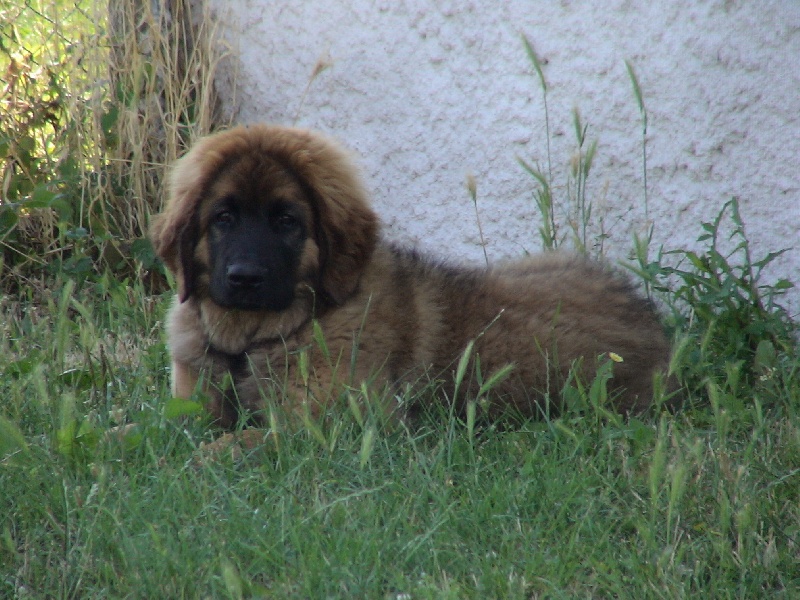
point(99, 99)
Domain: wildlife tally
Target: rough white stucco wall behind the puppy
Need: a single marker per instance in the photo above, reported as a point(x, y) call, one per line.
point(427, 91)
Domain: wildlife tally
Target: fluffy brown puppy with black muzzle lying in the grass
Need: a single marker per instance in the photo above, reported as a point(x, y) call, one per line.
point(286, 291)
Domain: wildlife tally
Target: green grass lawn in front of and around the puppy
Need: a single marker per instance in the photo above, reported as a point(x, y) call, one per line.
point(701, 502)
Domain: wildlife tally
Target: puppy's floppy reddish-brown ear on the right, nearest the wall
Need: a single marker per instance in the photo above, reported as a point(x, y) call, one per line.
point(347, 227)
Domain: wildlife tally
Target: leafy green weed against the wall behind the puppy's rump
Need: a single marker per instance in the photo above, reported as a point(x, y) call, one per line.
point(733, 328)
